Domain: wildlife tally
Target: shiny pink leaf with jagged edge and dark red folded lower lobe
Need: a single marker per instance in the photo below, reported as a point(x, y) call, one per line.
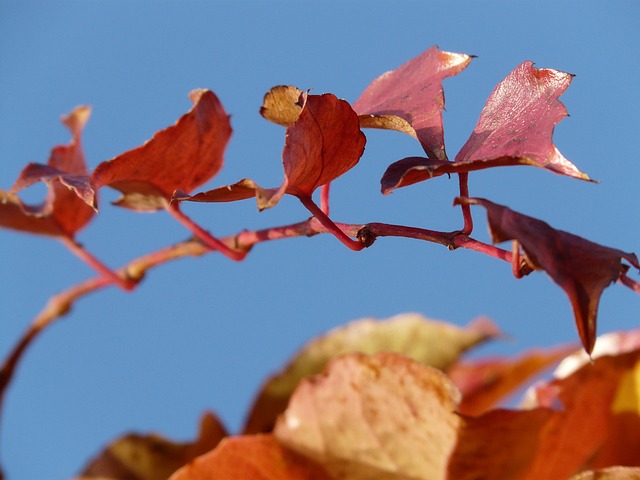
point(514, 128)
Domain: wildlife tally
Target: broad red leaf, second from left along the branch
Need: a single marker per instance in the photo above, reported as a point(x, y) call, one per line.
point(180, 157)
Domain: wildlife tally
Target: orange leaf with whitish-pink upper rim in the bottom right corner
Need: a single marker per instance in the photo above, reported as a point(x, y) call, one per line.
point(598, 414)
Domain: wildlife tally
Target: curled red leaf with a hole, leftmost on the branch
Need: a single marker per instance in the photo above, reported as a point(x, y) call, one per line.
point(68, 205)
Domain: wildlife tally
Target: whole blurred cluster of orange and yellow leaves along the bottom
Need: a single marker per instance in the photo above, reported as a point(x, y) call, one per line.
point(397, 399)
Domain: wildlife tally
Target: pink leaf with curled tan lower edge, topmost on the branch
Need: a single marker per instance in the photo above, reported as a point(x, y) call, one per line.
point(410, 98)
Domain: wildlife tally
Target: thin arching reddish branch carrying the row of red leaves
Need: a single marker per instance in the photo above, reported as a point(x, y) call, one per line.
point(240, 244)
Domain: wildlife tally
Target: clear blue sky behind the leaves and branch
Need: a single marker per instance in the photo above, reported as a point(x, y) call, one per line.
point(204, 333)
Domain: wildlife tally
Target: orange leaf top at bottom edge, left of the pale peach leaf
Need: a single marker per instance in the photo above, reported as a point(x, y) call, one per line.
point(255, 457)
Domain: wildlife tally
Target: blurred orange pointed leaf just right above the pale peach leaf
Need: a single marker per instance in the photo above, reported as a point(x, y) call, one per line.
point(485, 382)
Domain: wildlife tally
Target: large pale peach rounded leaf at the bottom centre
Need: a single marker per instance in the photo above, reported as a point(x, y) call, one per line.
point(349, 418)
